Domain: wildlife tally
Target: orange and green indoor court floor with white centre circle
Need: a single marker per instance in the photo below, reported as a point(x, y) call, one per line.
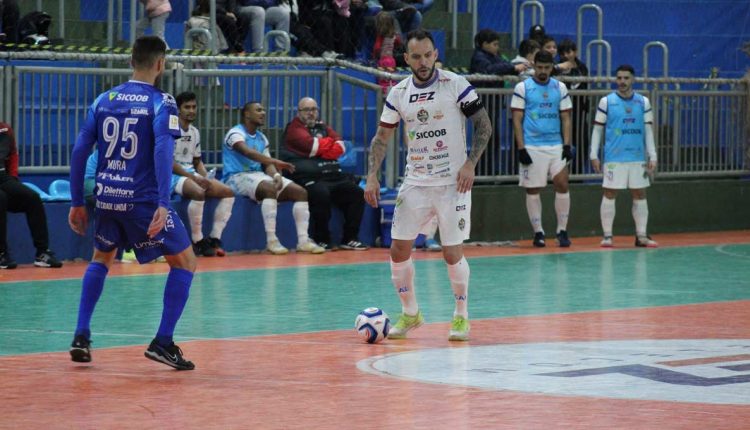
point(577, 338)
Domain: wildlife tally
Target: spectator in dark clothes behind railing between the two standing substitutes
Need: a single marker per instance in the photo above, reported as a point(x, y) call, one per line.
point(569, 53)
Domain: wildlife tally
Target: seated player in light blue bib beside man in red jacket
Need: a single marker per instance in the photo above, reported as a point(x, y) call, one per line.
point(250, 171)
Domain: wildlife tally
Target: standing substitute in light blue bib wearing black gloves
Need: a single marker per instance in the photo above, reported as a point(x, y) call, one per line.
point(540, 105)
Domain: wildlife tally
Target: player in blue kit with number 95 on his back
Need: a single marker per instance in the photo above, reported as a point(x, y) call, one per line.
point(134, 126)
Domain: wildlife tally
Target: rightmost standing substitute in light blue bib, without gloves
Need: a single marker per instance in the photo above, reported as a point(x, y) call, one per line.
point(625, 118)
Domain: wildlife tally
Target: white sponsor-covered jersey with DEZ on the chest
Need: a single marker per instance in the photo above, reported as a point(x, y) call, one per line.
point(435, 125)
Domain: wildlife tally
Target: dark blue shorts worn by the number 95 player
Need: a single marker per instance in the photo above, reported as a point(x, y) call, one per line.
point(127, 228)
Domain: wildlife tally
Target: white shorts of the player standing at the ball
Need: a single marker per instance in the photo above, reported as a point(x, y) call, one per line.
point(416, 206)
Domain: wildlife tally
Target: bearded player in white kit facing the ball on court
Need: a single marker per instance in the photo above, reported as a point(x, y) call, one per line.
point(433, 105)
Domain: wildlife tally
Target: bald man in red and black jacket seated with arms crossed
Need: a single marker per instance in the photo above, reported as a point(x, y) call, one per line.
point(313, 147)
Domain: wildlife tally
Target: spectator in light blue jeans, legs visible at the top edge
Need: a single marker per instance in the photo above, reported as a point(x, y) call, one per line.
point(259, 13)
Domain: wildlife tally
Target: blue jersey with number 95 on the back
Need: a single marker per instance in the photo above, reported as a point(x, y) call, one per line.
point(127, 122)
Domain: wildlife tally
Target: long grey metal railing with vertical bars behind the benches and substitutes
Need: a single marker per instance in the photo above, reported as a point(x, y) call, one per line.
point(701, 125)
